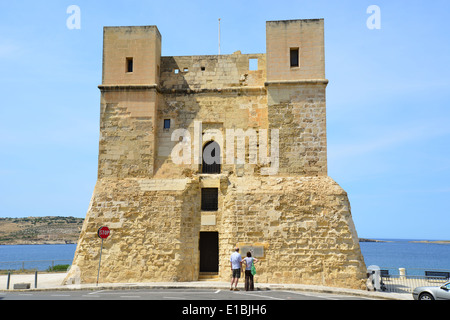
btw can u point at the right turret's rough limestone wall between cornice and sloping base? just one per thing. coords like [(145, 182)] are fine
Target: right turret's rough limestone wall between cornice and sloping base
[(299, 112)]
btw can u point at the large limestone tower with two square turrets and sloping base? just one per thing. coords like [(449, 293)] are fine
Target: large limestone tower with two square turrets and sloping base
[(174, 214)]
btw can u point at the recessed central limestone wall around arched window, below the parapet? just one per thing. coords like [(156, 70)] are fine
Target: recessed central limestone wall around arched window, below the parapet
[(216, 111)]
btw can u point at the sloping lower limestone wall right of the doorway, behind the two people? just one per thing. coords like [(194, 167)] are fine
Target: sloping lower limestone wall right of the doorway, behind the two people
[(304, 224)]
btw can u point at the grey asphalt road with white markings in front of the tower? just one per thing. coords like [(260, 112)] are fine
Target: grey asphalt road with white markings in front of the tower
[(173, 294)]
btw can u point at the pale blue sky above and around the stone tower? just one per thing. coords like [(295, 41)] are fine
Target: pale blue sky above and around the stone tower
[(388, 101)]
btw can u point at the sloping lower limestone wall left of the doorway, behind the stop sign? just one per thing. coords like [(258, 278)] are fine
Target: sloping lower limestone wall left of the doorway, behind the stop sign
[(149, 222)]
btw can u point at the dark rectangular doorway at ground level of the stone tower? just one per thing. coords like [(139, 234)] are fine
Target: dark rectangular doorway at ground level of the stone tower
[(209, 251)]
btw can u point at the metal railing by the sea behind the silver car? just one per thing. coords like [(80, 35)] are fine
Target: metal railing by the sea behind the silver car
[(405, 280)]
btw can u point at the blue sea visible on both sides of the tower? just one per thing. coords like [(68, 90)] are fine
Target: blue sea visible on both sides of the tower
[(391, 254)]
